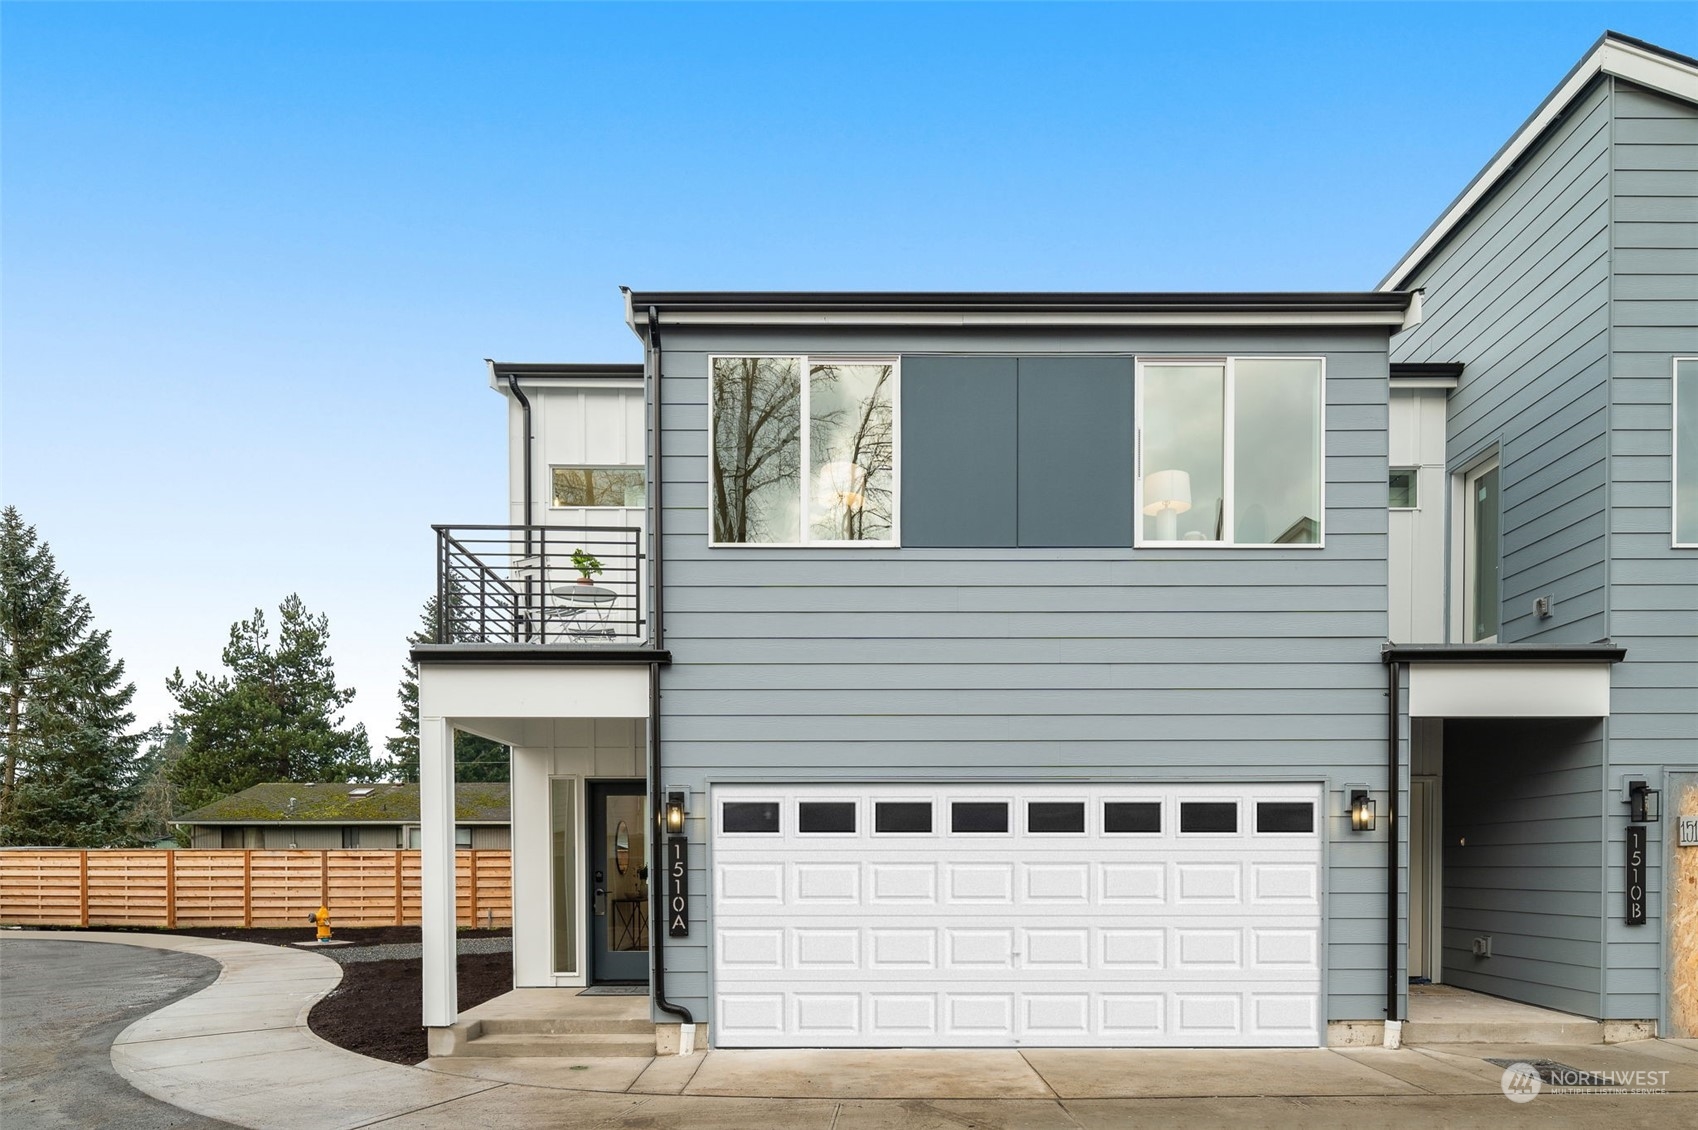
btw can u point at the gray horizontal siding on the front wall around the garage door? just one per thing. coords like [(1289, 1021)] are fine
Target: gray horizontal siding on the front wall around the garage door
[(1028, 665)]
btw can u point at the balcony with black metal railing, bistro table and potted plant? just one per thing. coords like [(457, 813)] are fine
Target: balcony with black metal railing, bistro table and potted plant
[(526, 585)]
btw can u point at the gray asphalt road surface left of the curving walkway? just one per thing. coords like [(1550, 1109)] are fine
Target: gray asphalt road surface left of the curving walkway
[(62, 1005)]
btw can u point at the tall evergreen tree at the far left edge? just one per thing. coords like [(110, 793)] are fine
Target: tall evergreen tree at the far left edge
[(69, 772)]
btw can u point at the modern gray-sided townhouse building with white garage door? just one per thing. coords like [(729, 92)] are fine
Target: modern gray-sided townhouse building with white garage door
[(1050, 669)]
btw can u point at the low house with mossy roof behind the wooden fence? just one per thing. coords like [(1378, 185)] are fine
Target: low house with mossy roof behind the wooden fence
[(306, 815)]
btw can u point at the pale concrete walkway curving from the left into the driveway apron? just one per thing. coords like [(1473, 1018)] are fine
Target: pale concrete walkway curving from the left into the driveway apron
[(240, 1051)]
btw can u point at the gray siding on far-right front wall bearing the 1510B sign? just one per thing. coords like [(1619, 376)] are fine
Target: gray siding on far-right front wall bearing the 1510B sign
[(1655, 587)]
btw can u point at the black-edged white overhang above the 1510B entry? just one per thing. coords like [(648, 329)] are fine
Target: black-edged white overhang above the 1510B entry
[(1507, 681)]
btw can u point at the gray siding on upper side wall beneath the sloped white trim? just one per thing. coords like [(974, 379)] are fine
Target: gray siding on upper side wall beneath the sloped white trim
[(1522, 297)]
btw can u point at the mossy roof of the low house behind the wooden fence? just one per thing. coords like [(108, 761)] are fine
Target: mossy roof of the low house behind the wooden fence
[(334, 803)]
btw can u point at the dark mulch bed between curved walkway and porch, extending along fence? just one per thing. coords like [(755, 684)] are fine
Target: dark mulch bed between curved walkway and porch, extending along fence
[(380, 1007)]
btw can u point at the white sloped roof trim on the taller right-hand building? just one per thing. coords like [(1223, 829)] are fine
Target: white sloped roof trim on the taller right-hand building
[(1611, 57)]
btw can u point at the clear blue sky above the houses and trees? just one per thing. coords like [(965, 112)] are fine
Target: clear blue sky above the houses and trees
[(252, 256)]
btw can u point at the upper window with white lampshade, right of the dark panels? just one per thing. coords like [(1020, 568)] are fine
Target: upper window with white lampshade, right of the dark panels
[(1230, 451)]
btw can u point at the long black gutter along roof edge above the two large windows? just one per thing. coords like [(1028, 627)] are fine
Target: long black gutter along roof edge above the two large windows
[(1021, 302)]
